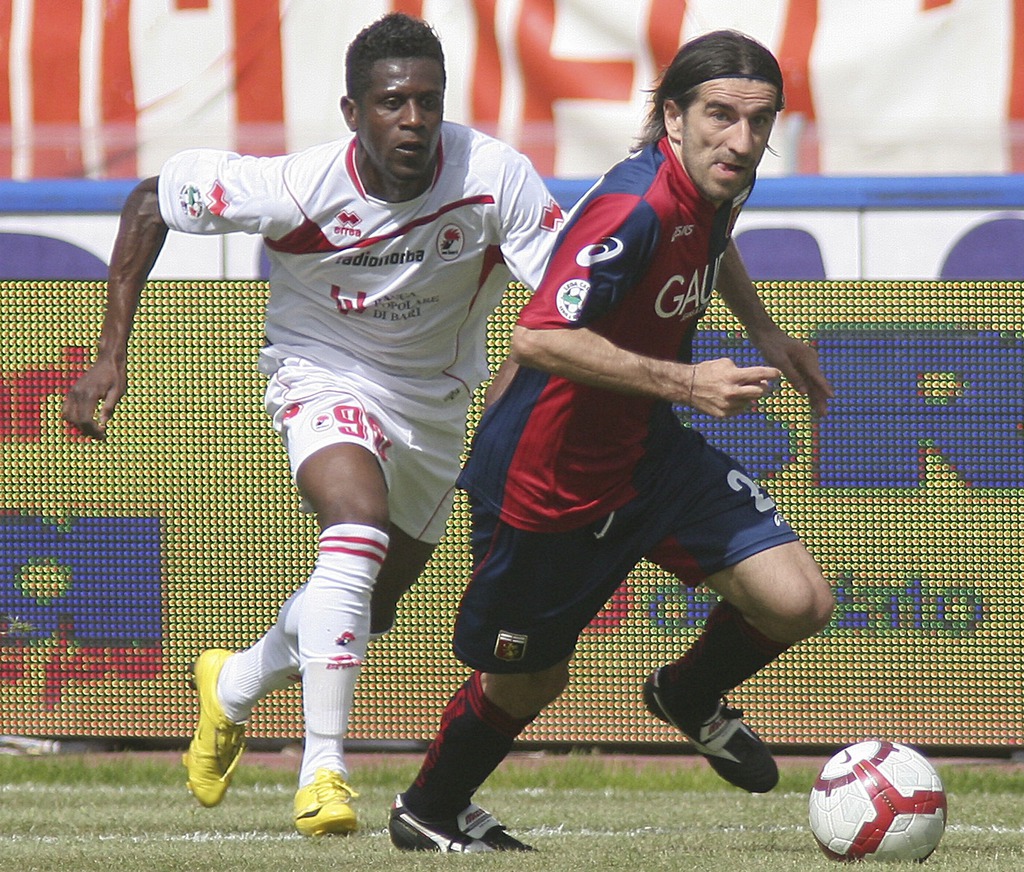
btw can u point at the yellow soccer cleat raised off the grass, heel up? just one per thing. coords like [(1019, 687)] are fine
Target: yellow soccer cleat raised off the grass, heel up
[(218, 744)]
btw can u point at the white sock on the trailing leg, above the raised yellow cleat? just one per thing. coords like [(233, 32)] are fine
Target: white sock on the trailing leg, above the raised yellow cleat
[(270, 665)]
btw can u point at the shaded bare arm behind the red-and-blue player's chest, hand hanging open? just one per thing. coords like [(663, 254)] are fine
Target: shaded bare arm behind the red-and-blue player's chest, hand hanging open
[(797, 360)]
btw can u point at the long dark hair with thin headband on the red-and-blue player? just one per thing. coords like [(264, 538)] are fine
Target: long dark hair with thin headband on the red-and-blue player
[(719, 55)]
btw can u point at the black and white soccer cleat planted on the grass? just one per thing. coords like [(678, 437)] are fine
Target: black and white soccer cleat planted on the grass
[(473, 832)]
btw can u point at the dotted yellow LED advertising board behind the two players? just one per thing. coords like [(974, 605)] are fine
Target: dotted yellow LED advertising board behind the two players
[(119, 561)]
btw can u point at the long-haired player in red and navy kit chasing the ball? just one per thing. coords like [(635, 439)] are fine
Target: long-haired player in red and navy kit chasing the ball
[(581, 468)]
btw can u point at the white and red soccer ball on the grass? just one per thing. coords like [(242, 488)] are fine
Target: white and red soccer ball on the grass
[(878, 800)]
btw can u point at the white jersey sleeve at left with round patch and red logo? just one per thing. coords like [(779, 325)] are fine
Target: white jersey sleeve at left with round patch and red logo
[(205, 191)]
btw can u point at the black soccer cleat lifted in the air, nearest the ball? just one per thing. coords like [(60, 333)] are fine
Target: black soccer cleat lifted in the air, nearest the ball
[(732, 748)]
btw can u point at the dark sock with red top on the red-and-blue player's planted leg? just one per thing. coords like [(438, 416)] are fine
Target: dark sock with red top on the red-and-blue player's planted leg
[(475, 737)]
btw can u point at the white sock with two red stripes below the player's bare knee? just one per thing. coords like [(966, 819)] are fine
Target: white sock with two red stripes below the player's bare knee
[(333, 632)]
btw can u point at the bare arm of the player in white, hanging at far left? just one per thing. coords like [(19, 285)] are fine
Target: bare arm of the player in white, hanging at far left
[(92, 401)]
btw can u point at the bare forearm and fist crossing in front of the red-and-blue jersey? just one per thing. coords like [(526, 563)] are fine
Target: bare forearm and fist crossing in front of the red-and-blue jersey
[(716, 387)]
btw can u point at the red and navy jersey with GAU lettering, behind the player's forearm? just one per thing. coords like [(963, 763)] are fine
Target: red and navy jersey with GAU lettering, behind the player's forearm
[(636, 264)]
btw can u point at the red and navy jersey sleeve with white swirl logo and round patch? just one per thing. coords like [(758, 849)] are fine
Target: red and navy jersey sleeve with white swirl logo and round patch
[(603, 254)]
